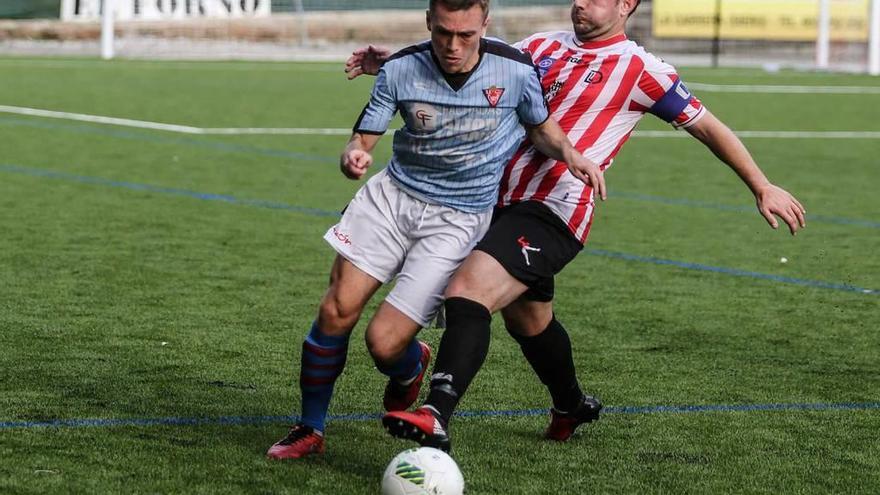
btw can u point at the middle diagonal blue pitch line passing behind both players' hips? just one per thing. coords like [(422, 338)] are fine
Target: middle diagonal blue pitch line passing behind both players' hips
[(326, 213)]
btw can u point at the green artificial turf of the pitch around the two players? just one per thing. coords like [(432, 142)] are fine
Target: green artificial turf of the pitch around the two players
[(151, 275)]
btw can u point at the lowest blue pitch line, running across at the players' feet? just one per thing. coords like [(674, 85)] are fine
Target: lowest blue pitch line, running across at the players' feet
[(251, 420)]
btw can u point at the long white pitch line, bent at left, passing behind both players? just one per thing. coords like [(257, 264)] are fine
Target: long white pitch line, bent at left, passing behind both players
[(241, 131)]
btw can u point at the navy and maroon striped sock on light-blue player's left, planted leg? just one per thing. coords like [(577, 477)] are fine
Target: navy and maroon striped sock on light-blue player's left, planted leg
[(323, 359)]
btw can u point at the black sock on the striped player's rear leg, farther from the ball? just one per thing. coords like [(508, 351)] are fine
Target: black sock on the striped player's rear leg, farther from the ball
[(550, 355)]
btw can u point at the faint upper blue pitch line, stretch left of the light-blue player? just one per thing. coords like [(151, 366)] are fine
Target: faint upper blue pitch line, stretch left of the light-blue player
[(154, 138)]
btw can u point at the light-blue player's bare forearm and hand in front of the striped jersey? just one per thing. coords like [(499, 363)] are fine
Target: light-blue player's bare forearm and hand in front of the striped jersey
[(551, 140)]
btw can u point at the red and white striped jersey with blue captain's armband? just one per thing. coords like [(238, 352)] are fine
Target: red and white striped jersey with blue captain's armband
[(598, 92)]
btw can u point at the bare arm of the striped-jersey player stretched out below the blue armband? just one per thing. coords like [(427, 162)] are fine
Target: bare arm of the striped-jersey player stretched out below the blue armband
[(772, 200)]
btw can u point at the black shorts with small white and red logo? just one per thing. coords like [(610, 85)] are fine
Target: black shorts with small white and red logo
[(533, 244)]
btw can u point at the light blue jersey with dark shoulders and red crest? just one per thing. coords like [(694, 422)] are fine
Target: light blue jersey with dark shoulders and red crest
[(459, 132)]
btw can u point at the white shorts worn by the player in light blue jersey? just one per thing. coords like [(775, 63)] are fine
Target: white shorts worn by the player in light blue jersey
[(388, 233)]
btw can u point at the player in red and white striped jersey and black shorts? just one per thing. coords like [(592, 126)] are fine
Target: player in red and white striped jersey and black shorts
[(598, 85)]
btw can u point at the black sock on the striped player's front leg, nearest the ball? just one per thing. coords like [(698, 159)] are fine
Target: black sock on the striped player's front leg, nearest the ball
[(462, 351)]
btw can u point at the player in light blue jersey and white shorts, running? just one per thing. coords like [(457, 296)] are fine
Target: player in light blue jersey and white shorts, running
[(467, 102)]
